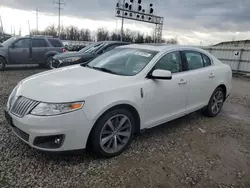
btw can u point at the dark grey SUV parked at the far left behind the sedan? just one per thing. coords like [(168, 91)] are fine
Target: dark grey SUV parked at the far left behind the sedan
[(29, 50)]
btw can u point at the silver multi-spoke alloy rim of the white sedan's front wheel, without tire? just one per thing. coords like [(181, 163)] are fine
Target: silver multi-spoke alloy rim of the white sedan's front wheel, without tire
[(115, 133)]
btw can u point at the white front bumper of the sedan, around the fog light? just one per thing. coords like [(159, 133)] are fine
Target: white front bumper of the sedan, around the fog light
[(74, 127)]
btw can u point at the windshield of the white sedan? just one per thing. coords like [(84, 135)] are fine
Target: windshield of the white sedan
[(123, 61)]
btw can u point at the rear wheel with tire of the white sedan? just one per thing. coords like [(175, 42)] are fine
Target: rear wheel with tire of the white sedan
[(215, 103)]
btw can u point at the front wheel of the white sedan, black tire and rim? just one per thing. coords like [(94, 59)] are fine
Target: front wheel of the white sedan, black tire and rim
[(112, 133)]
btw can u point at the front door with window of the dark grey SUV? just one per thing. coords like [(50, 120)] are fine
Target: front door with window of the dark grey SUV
[(19, 51)]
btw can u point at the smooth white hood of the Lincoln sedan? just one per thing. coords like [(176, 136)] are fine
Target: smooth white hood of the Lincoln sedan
[(69, 84)]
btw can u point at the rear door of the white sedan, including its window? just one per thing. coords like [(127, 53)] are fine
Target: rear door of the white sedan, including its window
[(202, 78)]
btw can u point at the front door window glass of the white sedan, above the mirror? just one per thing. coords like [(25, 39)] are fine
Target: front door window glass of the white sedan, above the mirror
[(170, 62)]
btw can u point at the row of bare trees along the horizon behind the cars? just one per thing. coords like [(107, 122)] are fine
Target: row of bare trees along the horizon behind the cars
[(76, 34)]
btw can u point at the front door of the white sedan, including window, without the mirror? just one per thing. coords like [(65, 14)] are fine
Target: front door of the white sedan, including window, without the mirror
[(166, 99)]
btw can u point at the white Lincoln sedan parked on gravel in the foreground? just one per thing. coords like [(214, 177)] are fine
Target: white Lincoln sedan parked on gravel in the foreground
[(102, 104)]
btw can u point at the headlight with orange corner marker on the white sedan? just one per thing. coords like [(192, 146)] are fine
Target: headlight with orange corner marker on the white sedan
[(50, 109)]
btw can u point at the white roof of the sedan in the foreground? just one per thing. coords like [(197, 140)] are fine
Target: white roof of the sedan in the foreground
[(160, 47)]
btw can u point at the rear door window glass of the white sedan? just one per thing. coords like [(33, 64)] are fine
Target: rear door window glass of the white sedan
[(194, 60)]
